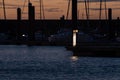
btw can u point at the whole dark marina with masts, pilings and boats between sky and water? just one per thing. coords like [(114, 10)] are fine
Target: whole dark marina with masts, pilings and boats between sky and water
[(77, 35)]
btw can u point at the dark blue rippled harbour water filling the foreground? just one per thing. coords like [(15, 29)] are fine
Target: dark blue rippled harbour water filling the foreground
[(53, 63)]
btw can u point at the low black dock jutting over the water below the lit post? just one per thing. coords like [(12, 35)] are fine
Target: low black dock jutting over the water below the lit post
[(110, 49)]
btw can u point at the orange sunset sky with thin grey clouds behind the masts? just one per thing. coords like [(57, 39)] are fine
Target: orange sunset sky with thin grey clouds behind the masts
[(54, 9)]
